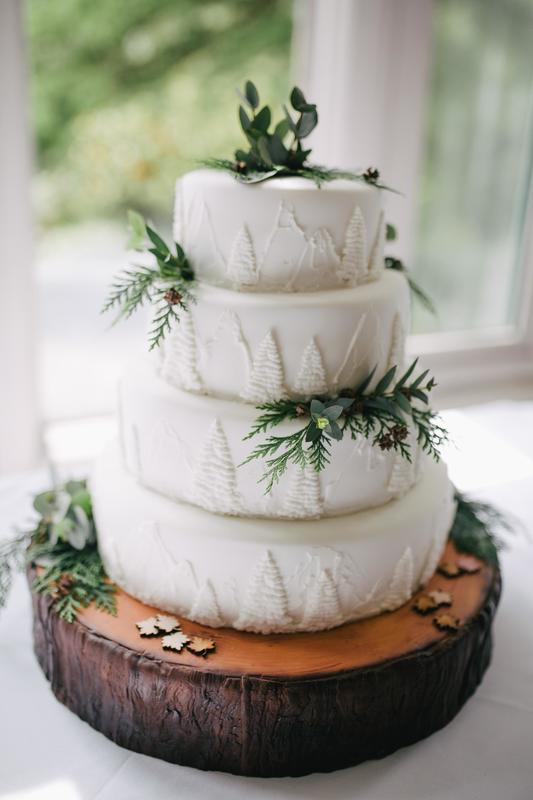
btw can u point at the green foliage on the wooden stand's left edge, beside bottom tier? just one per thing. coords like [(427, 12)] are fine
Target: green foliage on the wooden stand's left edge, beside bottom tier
[(62, 546)]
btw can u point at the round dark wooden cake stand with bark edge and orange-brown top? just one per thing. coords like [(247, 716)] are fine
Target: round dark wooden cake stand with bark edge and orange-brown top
[(286, 704)]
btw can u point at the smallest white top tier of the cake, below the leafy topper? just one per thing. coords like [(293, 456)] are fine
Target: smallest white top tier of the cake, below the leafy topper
[(283, 235)]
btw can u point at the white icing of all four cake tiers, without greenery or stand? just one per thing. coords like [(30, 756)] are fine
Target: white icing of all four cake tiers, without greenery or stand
[(292, 301)]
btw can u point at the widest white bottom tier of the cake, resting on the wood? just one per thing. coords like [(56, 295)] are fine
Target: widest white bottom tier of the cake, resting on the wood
[(268, 576)]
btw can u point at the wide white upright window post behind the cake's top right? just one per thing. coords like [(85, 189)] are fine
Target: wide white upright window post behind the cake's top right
[(366, 65)]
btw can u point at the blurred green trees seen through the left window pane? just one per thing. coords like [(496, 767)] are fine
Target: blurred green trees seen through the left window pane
[(129, 94)]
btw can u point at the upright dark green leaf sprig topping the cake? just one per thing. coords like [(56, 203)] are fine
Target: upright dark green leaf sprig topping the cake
[(276, 150)]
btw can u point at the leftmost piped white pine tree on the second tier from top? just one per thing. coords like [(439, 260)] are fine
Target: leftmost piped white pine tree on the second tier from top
[(180, 366)]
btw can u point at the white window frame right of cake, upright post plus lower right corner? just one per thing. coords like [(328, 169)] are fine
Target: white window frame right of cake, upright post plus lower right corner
[(339, 44)]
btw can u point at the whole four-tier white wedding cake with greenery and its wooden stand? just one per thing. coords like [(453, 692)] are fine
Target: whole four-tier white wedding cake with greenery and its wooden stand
[(270, 572)]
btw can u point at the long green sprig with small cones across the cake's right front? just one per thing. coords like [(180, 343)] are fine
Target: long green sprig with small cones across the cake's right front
[(382, 415)]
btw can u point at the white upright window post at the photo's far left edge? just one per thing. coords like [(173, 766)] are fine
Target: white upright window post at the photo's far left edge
[(19, 429)]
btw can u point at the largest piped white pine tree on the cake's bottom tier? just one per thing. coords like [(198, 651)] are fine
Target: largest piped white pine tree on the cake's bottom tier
[(265, 607)]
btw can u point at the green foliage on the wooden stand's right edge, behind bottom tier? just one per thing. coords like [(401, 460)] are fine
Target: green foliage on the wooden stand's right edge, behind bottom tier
[(476, 529)]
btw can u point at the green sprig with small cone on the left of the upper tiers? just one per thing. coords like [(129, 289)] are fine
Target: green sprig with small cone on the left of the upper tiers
[(167, 284)]
